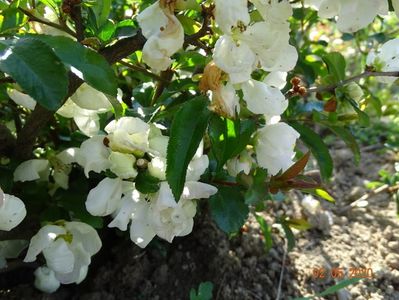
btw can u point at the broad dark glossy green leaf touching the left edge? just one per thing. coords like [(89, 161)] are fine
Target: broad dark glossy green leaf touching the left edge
[(36, 68)]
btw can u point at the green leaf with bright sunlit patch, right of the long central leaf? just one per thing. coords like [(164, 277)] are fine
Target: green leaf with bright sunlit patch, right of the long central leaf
[(229, 137)]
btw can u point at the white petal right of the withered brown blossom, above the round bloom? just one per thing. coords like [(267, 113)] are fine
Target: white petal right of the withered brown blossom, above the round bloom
[(263, 99)]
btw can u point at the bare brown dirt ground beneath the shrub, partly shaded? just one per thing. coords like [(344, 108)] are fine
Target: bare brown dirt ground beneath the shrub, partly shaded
[(239, 268)]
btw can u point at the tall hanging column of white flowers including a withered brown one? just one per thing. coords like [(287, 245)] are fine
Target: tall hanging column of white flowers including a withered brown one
[(243, 48)]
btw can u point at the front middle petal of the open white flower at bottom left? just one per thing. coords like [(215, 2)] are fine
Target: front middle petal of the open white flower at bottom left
[(59, 257)]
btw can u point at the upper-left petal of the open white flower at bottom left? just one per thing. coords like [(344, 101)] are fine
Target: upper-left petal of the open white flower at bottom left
[(46, 235)]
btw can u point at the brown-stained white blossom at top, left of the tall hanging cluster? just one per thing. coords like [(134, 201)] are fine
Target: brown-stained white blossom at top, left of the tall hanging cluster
[(164, 33)]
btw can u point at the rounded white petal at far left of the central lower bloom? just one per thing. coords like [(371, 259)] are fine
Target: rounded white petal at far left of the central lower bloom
[(104, 199)]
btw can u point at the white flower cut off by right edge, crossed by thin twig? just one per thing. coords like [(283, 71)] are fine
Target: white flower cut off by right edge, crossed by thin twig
[(386, 60)]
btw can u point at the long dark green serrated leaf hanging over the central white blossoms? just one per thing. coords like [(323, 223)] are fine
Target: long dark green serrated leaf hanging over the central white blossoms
[(187, 130)]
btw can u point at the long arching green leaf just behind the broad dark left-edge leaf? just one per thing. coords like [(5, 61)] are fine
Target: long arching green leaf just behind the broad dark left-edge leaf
[(95, 69)]
